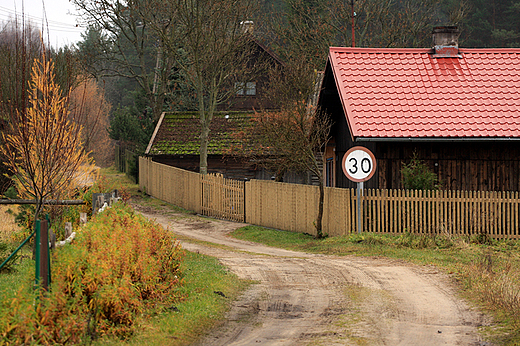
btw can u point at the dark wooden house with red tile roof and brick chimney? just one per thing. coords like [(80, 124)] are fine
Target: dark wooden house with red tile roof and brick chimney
[(457, 109)]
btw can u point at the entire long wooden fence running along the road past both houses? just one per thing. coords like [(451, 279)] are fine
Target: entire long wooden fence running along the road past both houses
[(294, 207)]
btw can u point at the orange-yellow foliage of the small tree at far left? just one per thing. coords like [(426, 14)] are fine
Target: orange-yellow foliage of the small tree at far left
[(43, 146)]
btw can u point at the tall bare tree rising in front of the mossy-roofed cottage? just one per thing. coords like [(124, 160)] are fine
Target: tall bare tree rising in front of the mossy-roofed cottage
[(206, 41)]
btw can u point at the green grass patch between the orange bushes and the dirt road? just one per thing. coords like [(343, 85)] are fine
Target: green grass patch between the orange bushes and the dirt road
[(210, 289)]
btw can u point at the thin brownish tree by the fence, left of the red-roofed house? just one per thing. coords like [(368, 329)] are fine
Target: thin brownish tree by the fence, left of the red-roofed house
[(293, 138)]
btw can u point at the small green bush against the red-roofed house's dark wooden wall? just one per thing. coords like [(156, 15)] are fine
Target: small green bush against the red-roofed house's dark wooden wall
[(418, 176)]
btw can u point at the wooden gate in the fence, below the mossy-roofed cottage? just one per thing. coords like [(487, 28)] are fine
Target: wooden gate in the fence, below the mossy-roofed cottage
[(223, 198)]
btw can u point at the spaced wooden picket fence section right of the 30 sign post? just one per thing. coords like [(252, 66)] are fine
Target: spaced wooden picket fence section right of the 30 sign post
[(495, 214)]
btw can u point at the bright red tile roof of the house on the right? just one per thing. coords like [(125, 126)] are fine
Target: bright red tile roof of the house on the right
[(407, 93)]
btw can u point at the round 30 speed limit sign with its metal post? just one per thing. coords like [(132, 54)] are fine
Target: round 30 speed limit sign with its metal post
[(359, 165)]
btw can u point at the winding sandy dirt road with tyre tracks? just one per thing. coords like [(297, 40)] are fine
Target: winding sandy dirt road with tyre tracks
[(308, 299)]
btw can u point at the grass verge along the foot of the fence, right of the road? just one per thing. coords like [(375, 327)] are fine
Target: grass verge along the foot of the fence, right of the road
[(488, 274)]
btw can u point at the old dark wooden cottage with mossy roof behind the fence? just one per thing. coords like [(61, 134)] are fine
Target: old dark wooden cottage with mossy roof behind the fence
[(176, 140)]
